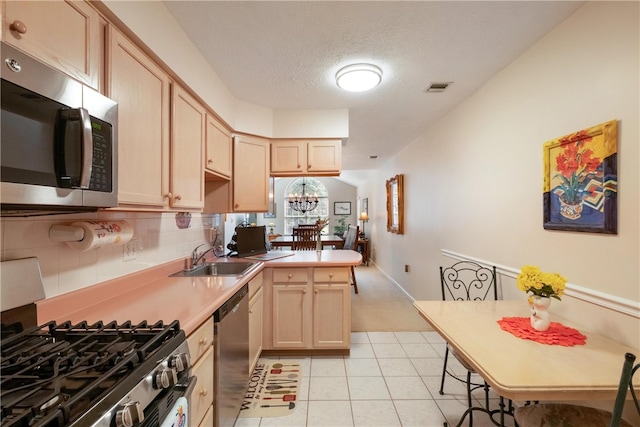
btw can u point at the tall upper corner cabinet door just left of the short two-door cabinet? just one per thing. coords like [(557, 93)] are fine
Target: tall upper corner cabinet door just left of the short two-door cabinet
[(250, 174)]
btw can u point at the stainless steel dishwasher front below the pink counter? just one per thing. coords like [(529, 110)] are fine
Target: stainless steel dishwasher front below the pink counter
[(231, 362)]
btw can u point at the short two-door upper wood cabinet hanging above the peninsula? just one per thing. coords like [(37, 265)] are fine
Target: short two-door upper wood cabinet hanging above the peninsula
[(295, 157)]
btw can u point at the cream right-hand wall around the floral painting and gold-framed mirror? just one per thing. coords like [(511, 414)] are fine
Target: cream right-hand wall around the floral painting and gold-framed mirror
[(474, 181)]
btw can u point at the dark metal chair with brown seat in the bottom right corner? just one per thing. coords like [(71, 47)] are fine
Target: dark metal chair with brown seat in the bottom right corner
[(564, 414)]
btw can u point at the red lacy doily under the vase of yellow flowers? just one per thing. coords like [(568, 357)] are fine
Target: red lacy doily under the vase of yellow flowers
[(557, 334)]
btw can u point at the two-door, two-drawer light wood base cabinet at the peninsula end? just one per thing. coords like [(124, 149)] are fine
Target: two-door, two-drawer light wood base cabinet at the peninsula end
[(307, 309)]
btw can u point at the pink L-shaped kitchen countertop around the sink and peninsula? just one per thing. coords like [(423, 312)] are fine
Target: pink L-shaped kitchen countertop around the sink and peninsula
[(153, 295)]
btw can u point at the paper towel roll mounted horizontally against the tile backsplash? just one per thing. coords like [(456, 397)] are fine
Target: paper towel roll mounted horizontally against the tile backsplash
[(102, 233)]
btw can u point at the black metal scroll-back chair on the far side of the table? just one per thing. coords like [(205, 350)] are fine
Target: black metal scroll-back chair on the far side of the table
[(467, 281)]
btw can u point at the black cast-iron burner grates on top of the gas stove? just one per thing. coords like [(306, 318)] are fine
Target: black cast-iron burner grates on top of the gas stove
[(55, 373)]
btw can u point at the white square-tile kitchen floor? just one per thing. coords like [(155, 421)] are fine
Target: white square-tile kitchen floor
[(389, 379)]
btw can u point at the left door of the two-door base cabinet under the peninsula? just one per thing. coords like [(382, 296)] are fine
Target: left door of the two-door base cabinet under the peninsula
[(291, 321)]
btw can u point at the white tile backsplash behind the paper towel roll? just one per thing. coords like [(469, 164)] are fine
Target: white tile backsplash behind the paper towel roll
[(158, 237)]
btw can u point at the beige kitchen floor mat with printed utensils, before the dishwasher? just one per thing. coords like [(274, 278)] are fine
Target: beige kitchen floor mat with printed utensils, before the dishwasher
[(273, 390)]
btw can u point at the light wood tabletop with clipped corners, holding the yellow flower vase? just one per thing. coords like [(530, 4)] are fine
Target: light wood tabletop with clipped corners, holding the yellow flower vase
[(521, 369)]
